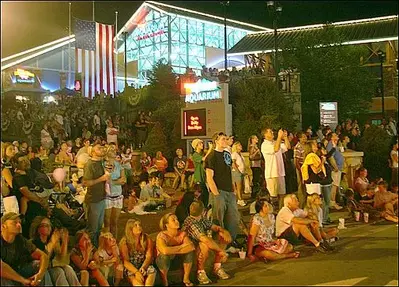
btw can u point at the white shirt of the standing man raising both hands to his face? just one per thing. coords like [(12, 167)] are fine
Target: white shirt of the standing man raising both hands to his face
[(274, 164)]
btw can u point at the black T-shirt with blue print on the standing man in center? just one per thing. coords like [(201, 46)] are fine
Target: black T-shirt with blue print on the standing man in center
[(220, 163)]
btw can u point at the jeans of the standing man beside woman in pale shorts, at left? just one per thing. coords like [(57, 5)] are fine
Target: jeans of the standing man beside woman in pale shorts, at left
[(95, 219)]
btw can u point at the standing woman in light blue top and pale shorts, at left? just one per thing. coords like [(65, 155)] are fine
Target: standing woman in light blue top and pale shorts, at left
[(113, 199)]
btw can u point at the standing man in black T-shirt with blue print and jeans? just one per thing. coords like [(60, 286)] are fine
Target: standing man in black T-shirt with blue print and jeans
[(218, 175)]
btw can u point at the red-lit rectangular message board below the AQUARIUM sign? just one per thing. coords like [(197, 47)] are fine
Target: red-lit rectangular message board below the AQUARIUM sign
[(194, 123)]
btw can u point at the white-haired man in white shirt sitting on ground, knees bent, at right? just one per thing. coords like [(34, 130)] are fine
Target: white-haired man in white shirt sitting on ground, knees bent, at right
[(292, 224)]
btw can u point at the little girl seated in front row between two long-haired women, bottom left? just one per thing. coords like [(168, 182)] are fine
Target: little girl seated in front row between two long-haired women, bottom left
[(110, 263)]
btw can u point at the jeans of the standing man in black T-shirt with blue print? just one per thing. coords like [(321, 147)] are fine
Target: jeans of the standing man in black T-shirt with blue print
[(225, 211)]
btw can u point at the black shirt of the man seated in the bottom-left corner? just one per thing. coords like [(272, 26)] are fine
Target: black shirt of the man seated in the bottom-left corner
[(17, 253)]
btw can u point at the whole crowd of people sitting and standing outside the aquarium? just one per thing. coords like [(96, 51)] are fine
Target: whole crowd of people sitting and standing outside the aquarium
[(295, 181)]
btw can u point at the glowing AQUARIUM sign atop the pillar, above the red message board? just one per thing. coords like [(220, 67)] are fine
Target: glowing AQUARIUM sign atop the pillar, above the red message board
[(202, 90)]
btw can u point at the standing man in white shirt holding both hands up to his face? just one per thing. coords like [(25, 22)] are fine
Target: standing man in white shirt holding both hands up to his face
[(272, 151)]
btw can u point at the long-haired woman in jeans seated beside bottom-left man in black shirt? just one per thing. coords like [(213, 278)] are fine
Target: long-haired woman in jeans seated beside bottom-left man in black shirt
[(55, 244)]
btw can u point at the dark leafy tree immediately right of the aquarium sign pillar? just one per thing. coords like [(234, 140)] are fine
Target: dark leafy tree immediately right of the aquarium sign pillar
[(257, 104)]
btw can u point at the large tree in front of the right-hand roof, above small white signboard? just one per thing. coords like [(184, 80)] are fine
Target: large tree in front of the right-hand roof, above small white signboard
[(330, 73)]
